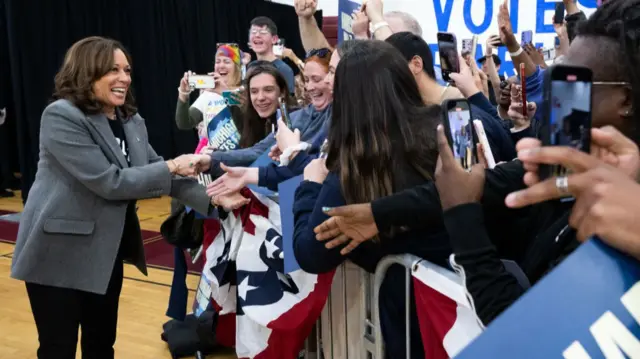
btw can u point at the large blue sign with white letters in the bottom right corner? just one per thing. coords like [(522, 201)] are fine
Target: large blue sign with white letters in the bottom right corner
[(588, 307)]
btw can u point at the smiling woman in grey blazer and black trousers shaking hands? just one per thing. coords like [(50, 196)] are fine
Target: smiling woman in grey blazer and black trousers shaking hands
[(80, 222)]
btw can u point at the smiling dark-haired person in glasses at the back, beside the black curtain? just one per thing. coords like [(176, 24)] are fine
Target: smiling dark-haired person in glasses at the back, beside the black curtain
[(263, 35)]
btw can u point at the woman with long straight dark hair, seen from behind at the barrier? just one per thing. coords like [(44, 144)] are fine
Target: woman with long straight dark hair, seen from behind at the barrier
[(381, 140)]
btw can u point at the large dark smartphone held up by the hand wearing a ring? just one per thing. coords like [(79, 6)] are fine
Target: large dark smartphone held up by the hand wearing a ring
[(567, 112)]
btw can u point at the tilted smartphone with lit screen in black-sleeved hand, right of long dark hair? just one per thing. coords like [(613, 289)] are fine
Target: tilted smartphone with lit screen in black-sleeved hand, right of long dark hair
[(460, 131)]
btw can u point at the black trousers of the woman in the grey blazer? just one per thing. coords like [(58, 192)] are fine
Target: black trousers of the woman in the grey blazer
[(59, 312)]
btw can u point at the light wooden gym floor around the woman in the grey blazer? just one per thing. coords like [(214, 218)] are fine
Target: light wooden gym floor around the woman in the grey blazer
[(143, 302)]
